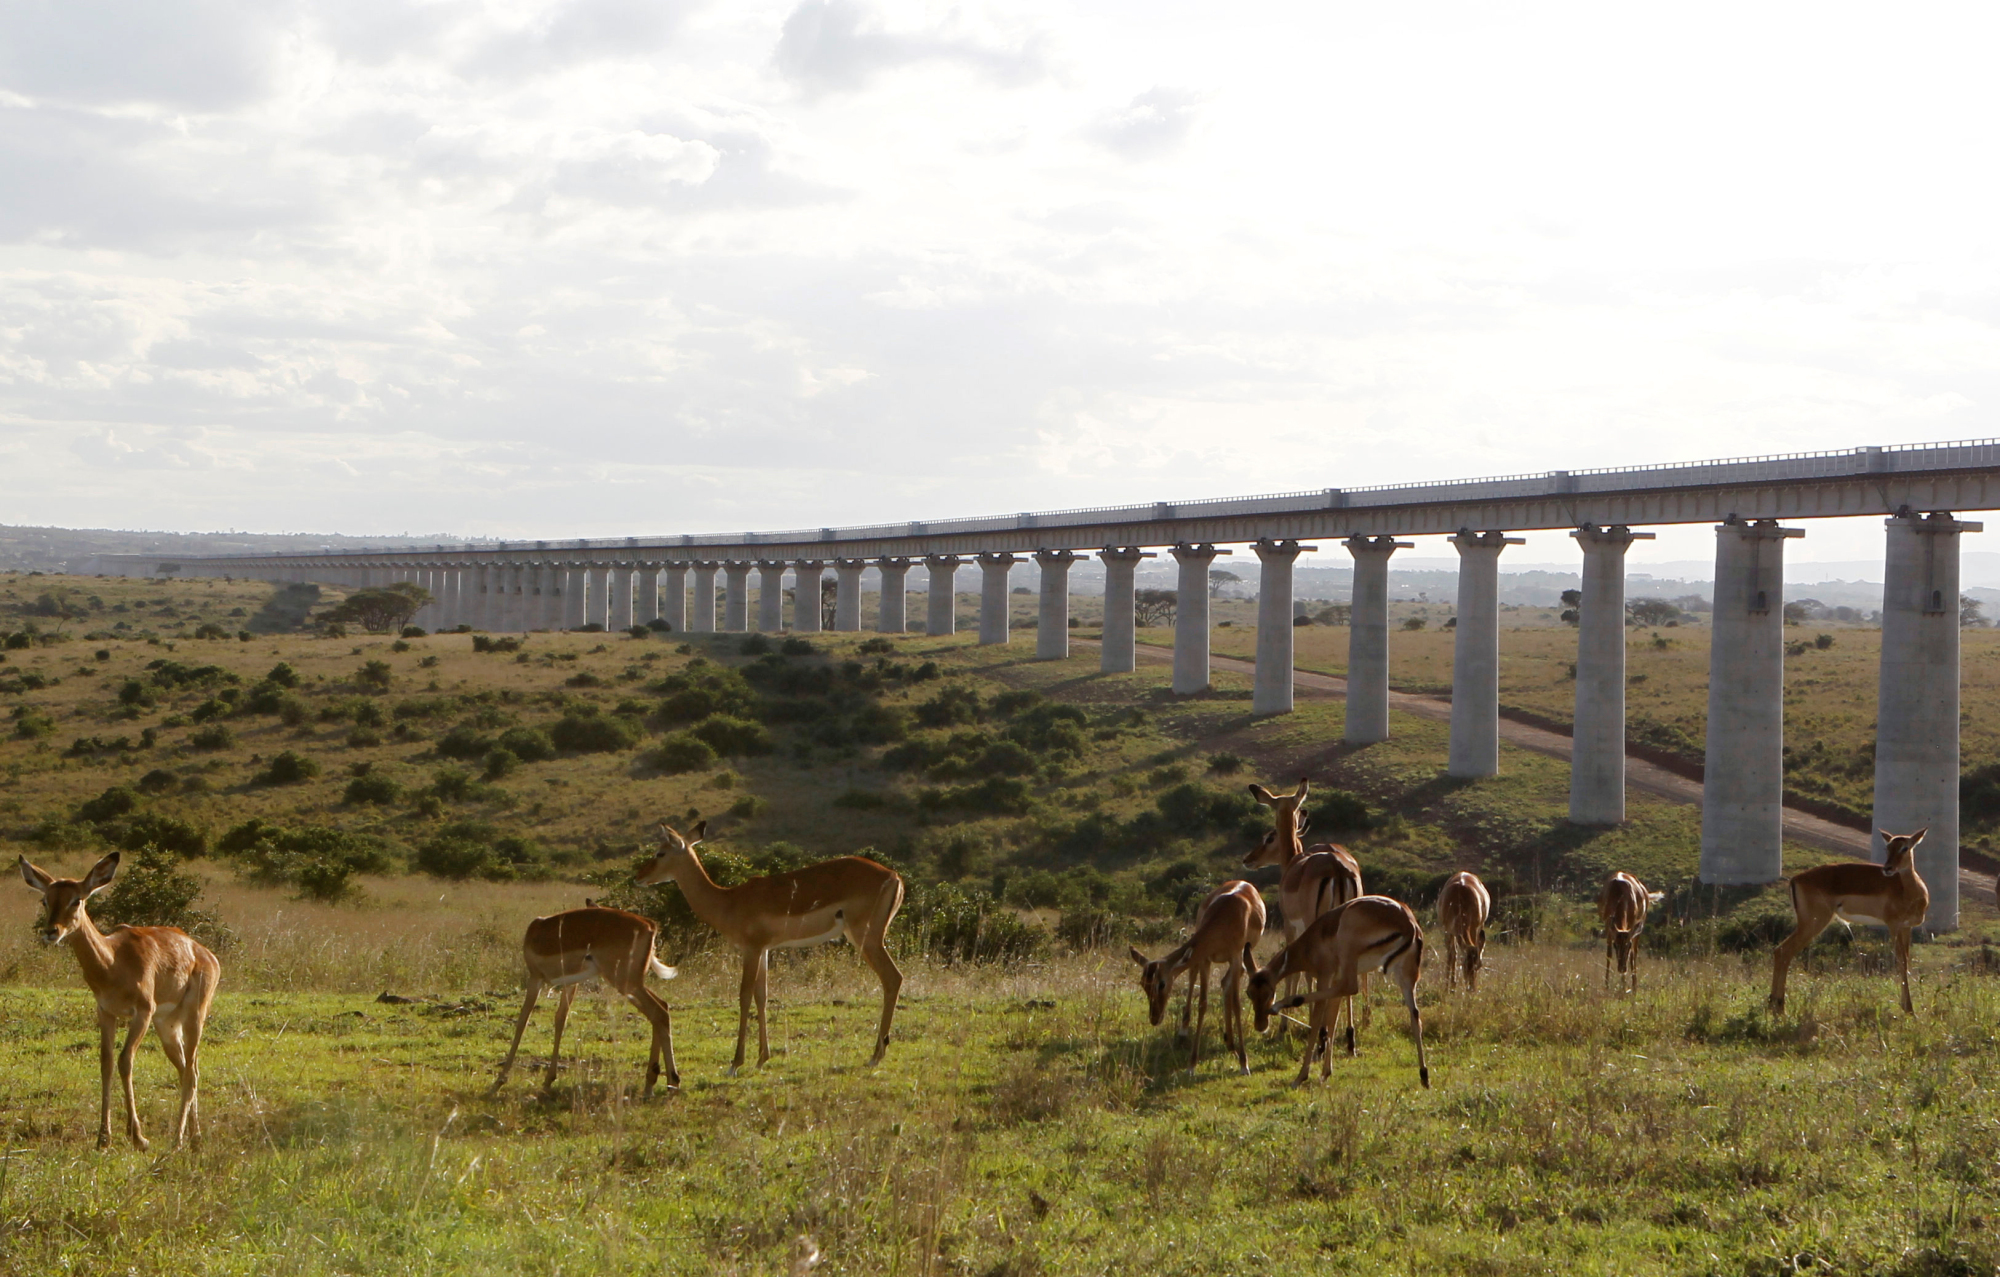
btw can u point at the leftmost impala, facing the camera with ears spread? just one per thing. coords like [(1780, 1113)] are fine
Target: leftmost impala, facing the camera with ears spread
[(141, 976)]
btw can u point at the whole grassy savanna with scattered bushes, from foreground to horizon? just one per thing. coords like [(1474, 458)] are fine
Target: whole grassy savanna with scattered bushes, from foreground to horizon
[(1027, 1118)]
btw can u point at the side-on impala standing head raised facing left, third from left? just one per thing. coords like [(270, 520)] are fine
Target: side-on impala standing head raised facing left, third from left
[(795, 910)]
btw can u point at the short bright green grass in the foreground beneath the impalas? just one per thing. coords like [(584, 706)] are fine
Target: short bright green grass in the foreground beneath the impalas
[(1033, 1124)]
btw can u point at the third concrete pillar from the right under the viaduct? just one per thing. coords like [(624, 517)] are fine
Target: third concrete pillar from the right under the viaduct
[(1597, 762)]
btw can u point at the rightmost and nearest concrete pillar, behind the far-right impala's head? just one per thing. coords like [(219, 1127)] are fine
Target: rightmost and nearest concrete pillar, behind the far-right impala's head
[(1917, 704)]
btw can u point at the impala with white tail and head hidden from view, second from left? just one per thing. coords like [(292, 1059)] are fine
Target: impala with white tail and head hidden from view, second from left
[(565, 950)]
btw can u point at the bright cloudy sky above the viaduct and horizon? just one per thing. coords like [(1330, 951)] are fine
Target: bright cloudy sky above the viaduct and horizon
[(617, 267)]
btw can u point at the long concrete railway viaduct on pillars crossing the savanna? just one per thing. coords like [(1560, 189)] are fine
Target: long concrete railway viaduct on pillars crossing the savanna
[(1917, 489)]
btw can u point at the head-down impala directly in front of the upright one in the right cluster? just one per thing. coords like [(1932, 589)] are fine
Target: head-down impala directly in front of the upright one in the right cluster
[(1333, 954)]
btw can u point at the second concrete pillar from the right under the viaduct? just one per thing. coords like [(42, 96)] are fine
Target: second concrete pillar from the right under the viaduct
[(1743, 788)]
